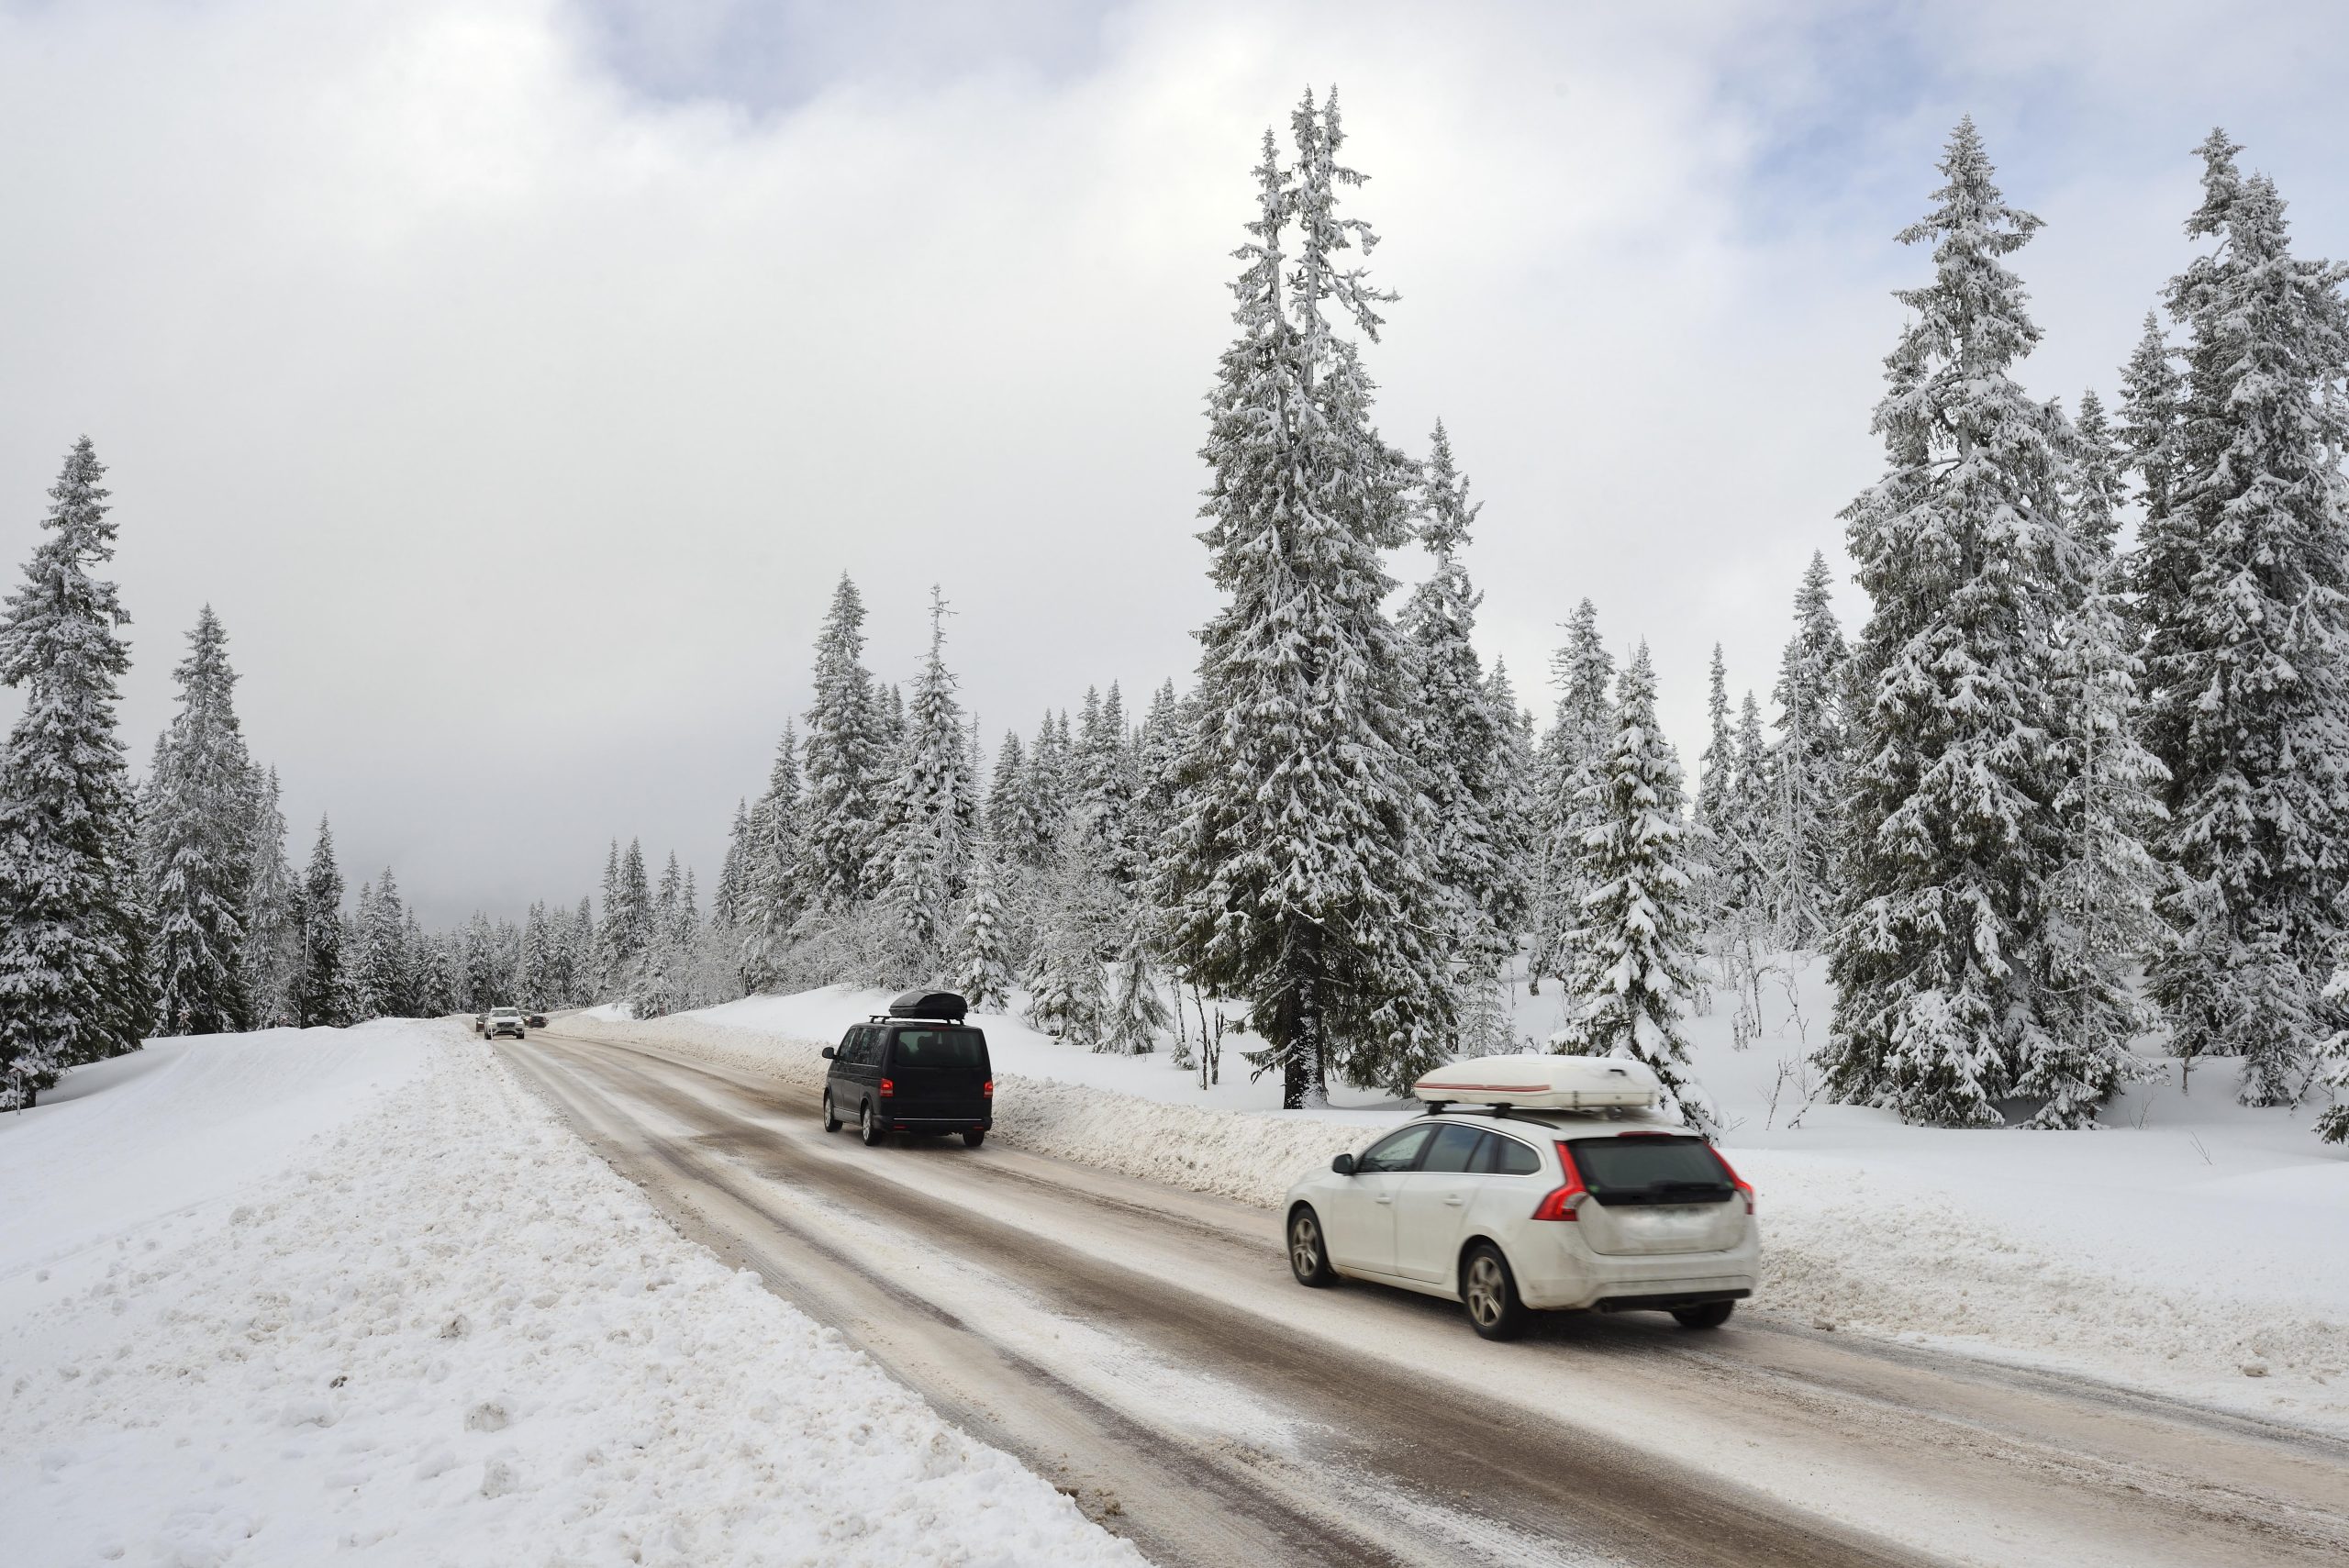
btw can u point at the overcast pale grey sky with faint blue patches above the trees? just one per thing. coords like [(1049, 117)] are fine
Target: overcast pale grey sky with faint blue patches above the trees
[(518, 377)]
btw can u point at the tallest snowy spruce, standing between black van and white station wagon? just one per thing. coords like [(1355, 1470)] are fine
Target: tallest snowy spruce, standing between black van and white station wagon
[(1305, 867)]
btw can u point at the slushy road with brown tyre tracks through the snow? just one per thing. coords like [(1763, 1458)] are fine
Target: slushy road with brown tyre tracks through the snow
[(1150, 1356)]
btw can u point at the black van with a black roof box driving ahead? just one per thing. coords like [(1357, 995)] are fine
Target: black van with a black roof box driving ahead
[(915, 1069)]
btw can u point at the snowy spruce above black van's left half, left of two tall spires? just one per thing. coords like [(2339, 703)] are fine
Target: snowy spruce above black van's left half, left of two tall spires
[(844, 759)]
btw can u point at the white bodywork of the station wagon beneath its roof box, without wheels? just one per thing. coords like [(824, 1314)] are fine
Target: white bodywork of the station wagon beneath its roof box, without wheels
[(1418, 1229)]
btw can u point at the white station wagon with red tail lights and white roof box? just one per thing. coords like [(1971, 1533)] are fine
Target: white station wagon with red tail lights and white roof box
[(1535, 1184)]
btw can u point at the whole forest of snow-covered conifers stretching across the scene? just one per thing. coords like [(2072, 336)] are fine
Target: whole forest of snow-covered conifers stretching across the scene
[(2073, 797)]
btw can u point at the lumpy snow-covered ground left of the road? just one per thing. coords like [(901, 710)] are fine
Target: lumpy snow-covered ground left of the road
[(295, 1297)]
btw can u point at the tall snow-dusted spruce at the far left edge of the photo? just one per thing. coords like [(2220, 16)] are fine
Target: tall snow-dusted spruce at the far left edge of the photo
[(74, 964)]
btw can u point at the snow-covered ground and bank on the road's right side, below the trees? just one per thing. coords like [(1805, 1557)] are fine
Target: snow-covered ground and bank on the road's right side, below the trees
[(2190, 1248)]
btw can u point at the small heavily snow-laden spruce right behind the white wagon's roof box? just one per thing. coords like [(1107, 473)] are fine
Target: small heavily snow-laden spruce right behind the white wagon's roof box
[(1634, 968)]
